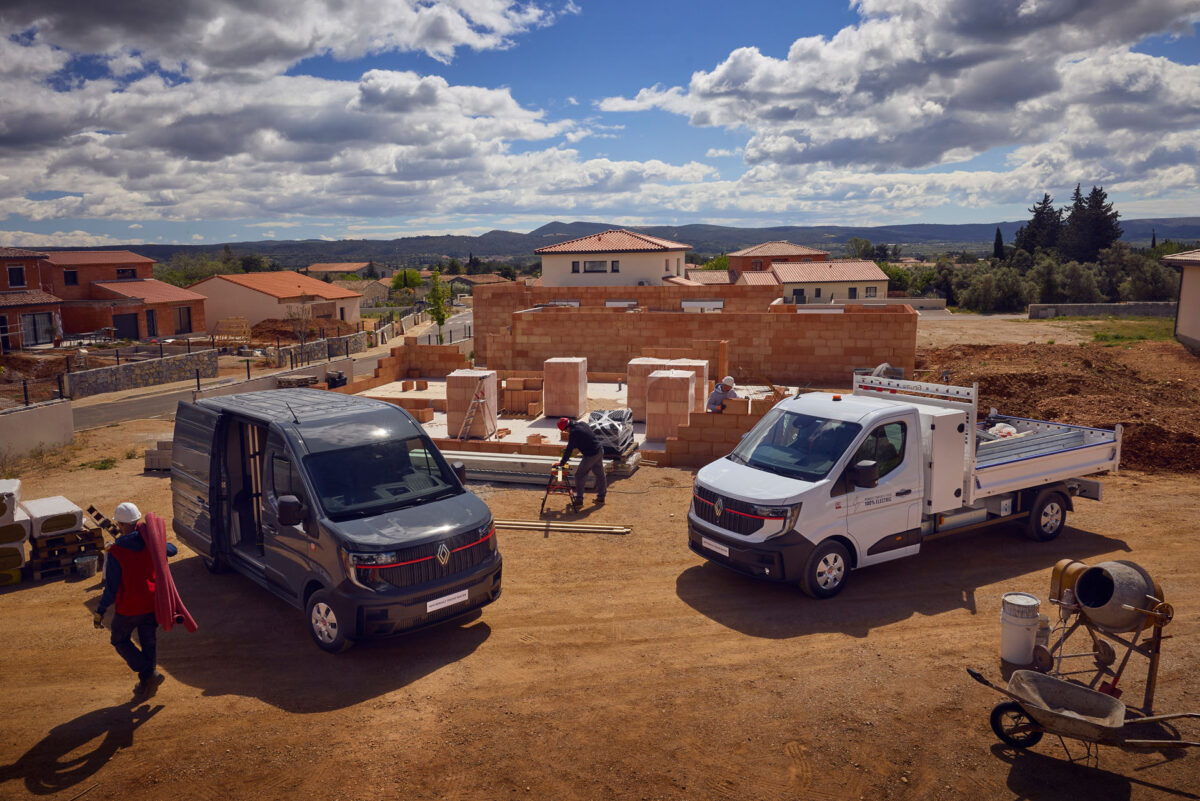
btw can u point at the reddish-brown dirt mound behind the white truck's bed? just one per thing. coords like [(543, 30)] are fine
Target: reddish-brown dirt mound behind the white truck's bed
[(1150, 388)]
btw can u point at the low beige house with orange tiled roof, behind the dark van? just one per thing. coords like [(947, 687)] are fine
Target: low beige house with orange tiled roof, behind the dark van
[(260, 297)]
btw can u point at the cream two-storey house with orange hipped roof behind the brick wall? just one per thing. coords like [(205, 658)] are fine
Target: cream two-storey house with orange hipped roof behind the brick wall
[(613, 258)]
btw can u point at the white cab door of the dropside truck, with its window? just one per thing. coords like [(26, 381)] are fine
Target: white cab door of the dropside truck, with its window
[(885, 521)]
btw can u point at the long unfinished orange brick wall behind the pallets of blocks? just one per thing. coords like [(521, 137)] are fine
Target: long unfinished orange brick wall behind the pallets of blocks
[(791, 350)]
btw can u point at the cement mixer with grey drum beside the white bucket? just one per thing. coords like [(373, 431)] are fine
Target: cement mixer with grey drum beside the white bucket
[(1117, 604)]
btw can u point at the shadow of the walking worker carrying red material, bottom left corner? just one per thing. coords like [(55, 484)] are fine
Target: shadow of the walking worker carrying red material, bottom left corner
[(79, 749)]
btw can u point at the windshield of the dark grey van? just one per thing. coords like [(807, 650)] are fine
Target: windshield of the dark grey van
[(380, 477)]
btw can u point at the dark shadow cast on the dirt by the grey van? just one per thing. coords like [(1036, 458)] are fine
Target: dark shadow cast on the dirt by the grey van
[(253, 645)]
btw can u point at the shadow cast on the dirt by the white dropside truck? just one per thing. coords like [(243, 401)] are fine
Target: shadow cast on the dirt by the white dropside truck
[(941, 579)]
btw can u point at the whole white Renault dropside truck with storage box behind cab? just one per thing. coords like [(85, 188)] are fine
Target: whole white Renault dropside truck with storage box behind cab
[(826, 484)]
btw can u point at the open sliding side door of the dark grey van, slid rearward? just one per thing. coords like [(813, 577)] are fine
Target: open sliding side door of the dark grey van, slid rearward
[(196, 489)]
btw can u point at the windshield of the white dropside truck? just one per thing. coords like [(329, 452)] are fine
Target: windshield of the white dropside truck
[(796, 445)]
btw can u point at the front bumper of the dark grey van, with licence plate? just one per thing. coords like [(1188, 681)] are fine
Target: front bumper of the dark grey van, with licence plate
[(385, 616)]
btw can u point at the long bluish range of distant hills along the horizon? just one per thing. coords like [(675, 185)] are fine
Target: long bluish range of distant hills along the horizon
[(923, 239)]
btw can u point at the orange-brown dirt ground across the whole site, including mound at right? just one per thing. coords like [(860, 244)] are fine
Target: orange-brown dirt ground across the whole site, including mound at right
[(623, 667)]
